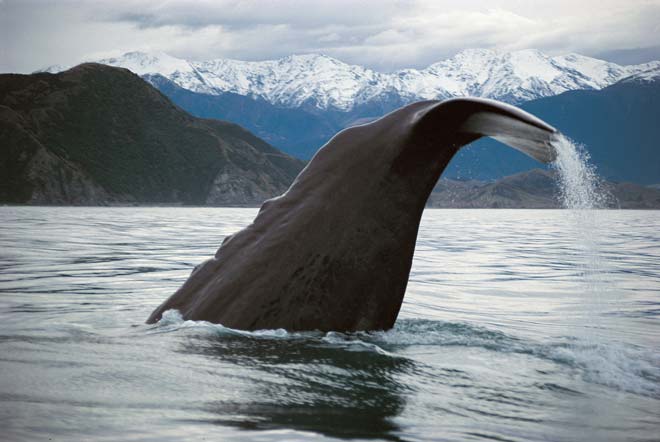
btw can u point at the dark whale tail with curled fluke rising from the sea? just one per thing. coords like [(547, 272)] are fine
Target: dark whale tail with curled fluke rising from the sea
[(334, 252)]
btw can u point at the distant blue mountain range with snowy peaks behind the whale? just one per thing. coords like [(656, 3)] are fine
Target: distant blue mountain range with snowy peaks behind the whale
[(299, 102)]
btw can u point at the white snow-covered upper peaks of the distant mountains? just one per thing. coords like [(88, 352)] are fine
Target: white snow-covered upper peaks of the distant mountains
[(322, 82)]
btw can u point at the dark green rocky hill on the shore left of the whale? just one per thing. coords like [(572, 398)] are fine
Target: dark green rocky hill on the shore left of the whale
[(101, 135)]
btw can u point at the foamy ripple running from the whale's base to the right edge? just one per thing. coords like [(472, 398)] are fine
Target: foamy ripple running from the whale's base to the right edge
[(625, 368)]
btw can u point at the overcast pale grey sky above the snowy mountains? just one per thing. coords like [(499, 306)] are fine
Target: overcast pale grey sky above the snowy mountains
[(379, 34)]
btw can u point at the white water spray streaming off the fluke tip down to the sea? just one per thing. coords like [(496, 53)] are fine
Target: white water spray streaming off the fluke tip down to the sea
[(583, 194)]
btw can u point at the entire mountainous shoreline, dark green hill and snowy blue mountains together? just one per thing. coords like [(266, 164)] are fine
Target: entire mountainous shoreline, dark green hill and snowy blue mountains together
[(97, 134)]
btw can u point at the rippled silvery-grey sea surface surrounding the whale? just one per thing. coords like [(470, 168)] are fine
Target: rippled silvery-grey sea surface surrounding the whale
[(517, 325)]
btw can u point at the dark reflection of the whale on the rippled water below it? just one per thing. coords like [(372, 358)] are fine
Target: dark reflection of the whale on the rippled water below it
[(309, 387)]
